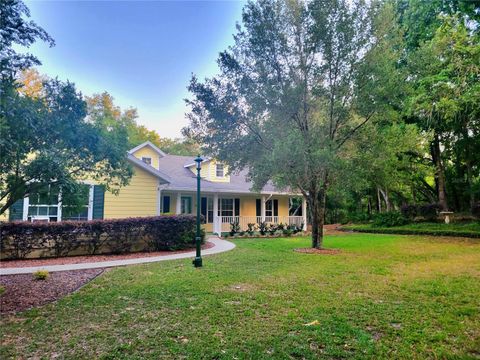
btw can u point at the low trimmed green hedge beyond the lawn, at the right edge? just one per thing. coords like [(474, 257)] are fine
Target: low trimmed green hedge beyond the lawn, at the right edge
[(406, 231)]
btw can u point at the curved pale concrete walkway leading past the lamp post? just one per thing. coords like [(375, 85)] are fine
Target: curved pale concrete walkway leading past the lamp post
[(220, 246)]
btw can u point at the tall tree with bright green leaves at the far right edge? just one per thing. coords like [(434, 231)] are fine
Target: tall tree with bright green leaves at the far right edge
[(445, 73)]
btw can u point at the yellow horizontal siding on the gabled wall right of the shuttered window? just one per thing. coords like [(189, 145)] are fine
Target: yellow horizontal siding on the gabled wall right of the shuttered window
[(139, 198)]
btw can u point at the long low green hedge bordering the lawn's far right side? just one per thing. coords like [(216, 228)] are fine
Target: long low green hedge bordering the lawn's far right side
[(470, 229)]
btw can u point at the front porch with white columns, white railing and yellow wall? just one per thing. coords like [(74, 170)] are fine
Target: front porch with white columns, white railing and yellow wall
[(221, 210)]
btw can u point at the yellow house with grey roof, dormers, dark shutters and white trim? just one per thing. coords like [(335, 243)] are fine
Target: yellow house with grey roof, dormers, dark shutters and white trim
[(164, 183)]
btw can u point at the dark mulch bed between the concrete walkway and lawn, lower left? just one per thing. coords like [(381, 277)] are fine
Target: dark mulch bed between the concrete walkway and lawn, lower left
[(23, 291)]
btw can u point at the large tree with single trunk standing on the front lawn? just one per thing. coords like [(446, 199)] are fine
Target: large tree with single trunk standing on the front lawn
[(292, 93)]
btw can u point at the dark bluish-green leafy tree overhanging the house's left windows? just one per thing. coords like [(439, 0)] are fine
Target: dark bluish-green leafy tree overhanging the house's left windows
[(49, 142)]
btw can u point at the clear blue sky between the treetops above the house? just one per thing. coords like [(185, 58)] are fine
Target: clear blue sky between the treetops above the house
[(141, 52)]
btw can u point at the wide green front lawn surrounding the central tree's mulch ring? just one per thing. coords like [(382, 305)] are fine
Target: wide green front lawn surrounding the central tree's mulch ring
[(383, 296)]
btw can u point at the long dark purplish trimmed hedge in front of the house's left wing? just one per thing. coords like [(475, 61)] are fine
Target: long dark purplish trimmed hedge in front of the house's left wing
[(18, 240)]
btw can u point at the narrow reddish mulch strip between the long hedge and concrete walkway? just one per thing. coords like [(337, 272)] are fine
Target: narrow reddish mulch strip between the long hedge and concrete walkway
[(90, 258)]
